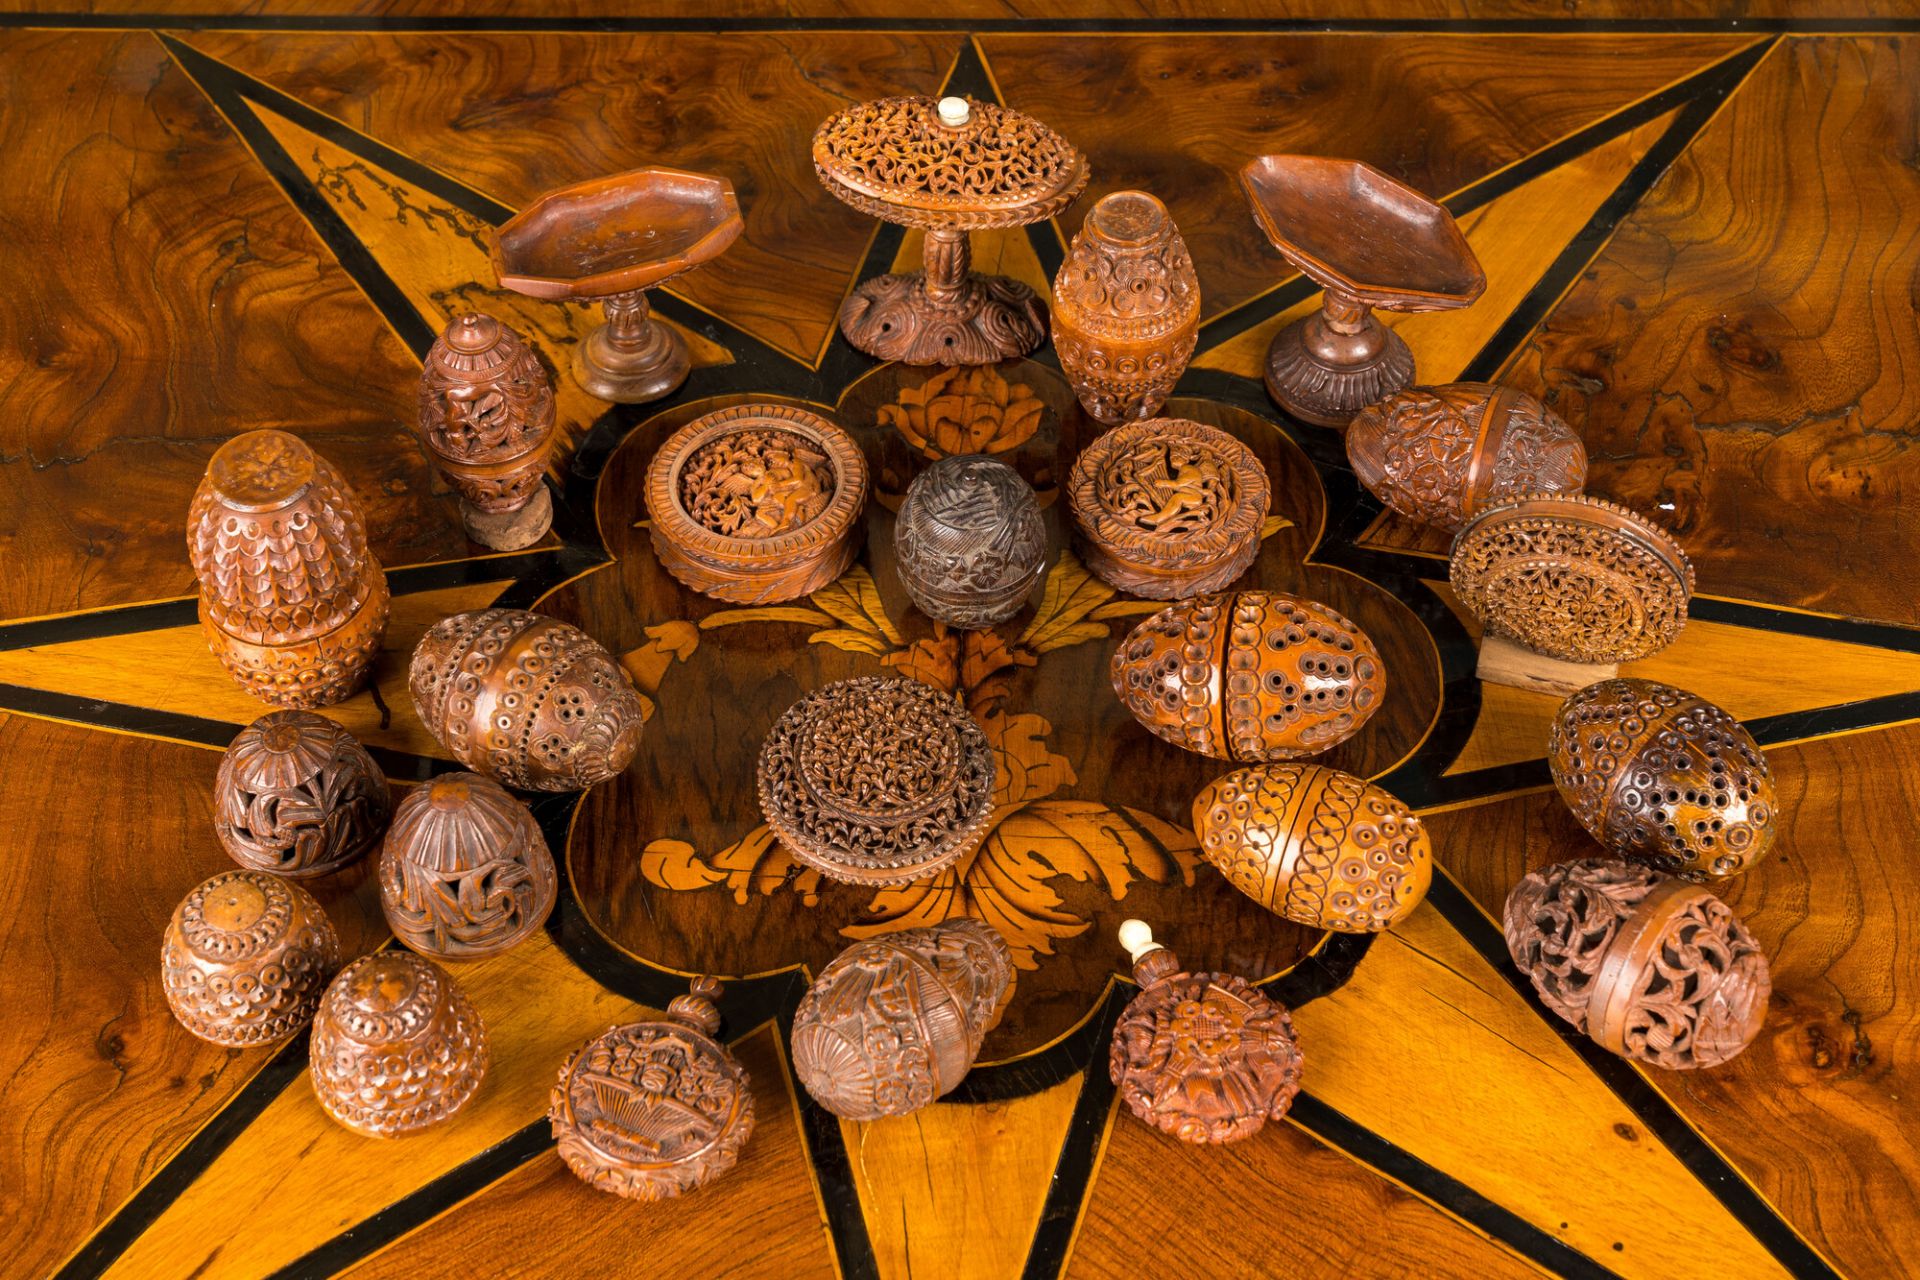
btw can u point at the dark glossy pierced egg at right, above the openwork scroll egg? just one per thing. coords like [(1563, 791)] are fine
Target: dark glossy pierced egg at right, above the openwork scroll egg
[(1666, 778)]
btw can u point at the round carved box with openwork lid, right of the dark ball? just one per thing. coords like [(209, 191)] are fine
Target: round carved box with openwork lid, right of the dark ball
[(1168, 508)]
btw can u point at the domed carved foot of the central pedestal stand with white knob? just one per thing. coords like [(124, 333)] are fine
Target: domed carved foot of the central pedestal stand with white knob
[(992, 320)]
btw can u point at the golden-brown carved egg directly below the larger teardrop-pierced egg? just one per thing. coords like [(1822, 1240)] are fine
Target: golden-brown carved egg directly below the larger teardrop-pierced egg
[(1320, 847)]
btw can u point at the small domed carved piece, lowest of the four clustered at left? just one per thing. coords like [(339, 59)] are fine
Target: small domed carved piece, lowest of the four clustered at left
[(396, 1047)]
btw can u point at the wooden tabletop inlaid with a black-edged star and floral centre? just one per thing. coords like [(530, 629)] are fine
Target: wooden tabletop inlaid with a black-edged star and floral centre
[(1702, 241)]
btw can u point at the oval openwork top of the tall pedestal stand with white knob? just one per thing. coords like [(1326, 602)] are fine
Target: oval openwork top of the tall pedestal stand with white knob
[(896, 160)]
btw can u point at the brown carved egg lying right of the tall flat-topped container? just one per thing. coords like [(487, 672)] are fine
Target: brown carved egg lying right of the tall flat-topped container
[(525, 699)]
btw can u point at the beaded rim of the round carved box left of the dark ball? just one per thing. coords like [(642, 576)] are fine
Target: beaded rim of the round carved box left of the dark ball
[(757, 556)]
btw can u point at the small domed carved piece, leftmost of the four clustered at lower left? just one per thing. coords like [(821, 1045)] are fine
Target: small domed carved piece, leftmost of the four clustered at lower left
[(247, 959)]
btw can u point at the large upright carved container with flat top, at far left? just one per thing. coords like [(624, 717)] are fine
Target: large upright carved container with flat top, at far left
[(291, 600)]
